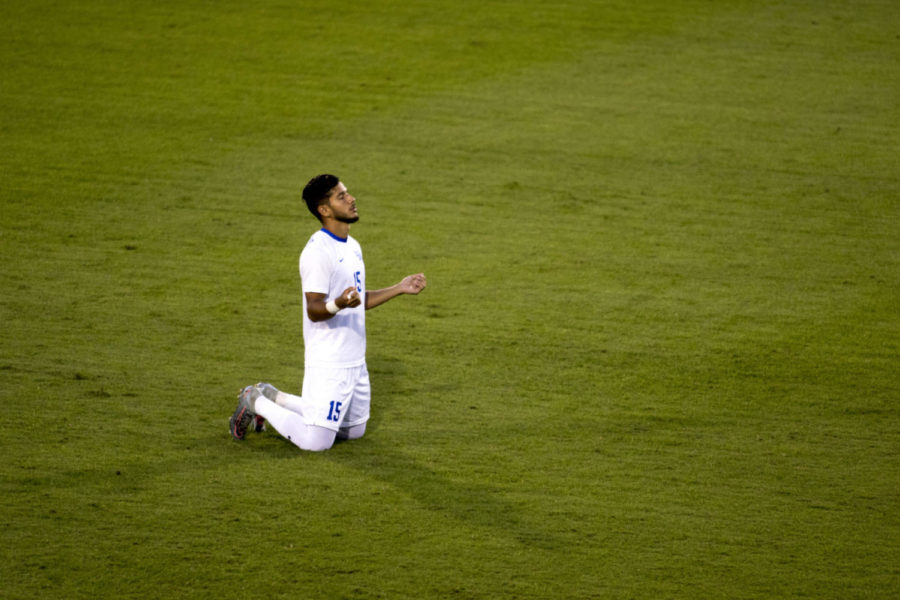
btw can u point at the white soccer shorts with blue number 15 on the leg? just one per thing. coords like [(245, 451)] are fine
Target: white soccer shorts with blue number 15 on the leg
[(336, 398)]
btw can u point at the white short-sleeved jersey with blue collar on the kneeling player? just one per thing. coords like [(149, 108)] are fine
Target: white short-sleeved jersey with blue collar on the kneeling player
[(329, 265)]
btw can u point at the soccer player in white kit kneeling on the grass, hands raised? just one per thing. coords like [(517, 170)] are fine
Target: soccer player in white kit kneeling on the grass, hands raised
[(335, 399)]
